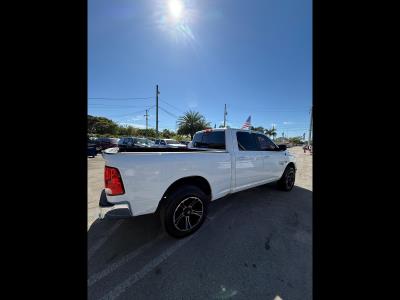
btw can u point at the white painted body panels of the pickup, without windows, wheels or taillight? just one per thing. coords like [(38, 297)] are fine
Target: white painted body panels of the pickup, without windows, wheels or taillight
[(146, 176)]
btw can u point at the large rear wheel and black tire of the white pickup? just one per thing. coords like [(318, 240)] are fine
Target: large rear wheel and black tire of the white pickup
[(184, 211)]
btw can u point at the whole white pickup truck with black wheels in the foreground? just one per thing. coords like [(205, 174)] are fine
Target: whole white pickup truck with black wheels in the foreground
[(178, 183)]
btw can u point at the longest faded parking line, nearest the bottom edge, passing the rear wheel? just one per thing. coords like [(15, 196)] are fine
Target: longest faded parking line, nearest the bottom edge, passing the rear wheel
[(121, 288)]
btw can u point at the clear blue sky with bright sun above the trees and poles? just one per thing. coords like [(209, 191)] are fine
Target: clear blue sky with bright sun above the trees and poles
[(254, 56)]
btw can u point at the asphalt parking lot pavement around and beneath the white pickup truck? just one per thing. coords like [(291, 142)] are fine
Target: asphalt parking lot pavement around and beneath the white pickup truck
[(255, 244)]
